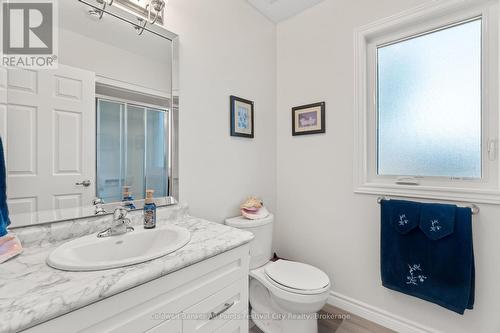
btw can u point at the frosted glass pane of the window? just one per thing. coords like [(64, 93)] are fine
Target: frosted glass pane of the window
[(429, 104)]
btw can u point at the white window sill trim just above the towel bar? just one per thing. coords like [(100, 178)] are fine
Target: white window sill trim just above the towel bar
[(431, 193)]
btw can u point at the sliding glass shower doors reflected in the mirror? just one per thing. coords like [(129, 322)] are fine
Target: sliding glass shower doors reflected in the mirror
[(132, 143)]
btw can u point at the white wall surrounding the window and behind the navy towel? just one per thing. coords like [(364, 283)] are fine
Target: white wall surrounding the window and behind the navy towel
[(320, 219)]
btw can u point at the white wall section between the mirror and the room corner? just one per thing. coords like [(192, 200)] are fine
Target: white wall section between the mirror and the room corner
[(226, 47)]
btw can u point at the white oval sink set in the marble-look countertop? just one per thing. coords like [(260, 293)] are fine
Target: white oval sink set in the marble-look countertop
[(91, 253)]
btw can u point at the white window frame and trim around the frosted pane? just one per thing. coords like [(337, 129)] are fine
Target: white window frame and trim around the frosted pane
[(421, 20)]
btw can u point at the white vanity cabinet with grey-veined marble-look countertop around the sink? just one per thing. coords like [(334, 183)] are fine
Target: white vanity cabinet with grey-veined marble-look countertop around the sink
[(202, 287)]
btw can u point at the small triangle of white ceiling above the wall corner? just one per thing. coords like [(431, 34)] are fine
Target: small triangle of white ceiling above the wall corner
[(279, 10)]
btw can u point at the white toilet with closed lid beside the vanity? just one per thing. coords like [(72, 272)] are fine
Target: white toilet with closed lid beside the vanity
[(284, 295)]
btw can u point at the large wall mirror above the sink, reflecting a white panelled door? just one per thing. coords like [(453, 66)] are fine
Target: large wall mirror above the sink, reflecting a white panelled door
[(101, 128)]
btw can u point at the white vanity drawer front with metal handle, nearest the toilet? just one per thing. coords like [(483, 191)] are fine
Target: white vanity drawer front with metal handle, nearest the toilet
[(217, 310)]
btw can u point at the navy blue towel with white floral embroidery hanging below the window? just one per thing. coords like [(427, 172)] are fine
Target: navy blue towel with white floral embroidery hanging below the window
[(432, 258)]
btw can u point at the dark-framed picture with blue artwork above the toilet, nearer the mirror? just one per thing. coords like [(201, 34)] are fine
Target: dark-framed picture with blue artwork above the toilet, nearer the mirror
[(242, 124)]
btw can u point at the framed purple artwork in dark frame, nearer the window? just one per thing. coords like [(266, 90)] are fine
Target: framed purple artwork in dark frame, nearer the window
[(308, 119)]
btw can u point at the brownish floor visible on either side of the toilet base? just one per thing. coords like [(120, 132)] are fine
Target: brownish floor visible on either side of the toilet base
[(339, 321)]
